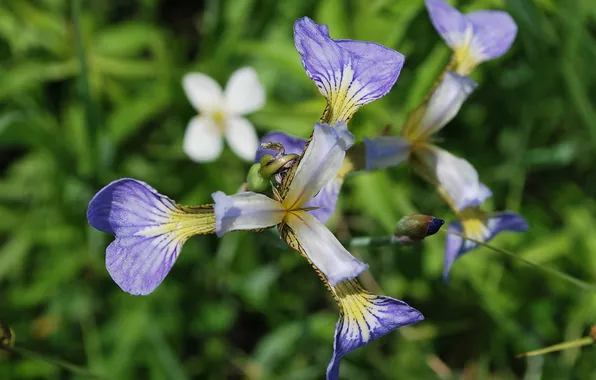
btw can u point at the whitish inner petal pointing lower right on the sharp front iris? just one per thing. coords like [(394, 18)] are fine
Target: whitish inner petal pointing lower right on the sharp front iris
[(311, 238)]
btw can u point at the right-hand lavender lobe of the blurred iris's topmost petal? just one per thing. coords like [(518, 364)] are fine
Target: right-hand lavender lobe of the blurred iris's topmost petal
[(494, 33)]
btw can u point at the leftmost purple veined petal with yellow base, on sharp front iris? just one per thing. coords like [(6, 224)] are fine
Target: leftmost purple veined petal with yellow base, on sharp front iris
[(150, 230)]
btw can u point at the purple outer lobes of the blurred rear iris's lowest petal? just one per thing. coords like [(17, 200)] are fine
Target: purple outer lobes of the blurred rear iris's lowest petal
[(455, 246)]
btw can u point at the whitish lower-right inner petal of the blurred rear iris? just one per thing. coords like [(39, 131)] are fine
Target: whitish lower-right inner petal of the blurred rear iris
[(455, 176)]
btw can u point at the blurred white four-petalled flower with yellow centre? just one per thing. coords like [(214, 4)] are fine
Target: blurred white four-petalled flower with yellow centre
[(220, 114)]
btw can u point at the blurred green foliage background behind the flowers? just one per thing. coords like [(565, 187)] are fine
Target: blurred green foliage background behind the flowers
[(245, 306)]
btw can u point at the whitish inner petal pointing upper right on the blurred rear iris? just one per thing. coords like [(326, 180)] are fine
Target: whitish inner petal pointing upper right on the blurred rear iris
[(444, 103)]
